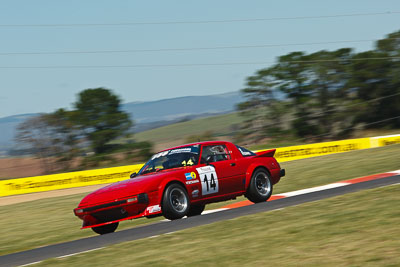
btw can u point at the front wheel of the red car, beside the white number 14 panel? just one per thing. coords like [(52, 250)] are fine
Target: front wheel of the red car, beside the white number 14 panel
[(175, 203)]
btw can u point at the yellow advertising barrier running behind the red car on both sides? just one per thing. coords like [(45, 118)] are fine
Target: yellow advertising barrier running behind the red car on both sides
[(109, 175)]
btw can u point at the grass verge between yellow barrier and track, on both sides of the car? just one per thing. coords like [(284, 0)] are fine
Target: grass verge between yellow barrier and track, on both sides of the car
[(48, 221)]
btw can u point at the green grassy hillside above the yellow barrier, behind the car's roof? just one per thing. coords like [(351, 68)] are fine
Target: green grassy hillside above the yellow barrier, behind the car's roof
[(220, 125)]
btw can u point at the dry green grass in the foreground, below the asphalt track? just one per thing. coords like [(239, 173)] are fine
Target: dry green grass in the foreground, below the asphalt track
[(358, 229)]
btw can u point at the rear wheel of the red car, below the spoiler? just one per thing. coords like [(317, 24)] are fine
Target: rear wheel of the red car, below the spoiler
[(260, 187)]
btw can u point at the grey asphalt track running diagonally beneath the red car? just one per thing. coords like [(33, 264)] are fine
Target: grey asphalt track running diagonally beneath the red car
[(163, 227)]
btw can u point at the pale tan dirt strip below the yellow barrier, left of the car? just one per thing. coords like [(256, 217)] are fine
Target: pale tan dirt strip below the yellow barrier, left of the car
[(8, 200)]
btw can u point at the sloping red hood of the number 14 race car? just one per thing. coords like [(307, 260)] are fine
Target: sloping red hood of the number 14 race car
[(126, 188)]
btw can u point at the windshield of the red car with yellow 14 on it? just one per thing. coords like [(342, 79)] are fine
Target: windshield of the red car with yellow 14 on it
[(174, 158)]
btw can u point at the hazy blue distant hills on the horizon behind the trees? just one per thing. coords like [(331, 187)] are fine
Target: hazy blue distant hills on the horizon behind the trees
[(147, 115)]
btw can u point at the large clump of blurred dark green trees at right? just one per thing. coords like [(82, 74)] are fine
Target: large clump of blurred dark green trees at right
[(326, 93)]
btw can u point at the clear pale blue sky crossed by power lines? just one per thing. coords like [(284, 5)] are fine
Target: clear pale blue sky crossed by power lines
[(46, 89)]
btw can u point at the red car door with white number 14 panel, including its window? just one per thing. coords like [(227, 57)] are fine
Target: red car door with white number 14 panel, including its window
[(218, 172)]
